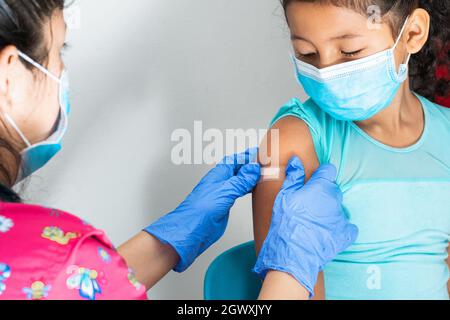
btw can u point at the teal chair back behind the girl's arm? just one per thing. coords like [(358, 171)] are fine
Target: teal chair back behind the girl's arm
[(230, 275)]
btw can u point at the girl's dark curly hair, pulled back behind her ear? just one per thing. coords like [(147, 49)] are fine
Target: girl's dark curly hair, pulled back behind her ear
[(424, 64)]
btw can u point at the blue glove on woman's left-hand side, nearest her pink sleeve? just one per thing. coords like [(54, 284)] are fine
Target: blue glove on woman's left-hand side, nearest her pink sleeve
[(201, 220)]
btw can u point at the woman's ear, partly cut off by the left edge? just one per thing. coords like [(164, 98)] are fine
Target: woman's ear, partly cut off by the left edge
[(9, 60)]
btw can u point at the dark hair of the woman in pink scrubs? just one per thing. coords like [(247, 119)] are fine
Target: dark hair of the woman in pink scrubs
[(21, 25)]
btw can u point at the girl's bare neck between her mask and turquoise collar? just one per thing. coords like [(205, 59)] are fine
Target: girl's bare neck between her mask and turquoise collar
[(401, 124)]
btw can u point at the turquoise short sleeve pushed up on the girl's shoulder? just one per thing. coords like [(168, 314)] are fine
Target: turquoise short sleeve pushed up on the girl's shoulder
[(313, 116)]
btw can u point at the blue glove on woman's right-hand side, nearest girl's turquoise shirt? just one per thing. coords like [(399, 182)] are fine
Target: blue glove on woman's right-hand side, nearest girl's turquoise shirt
[(309, 228)]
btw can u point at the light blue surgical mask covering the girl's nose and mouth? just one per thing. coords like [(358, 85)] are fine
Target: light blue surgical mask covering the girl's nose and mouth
[(355, 90)]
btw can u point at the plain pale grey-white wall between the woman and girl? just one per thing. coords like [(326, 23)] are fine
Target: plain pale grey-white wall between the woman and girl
[(141, 69)]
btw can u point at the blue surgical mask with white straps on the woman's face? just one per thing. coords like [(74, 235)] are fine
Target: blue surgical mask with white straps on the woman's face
[(36, 156)]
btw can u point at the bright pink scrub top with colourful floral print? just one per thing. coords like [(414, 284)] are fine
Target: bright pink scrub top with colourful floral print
[(50, 254)]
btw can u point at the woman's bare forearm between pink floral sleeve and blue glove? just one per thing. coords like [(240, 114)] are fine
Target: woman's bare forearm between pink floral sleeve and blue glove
[(148, 258)]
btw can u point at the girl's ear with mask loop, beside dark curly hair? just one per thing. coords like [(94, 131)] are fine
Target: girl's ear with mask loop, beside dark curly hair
[(418, 31)]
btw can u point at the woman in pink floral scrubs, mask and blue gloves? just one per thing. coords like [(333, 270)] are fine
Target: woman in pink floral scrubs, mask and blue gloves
[(50, 254)]
